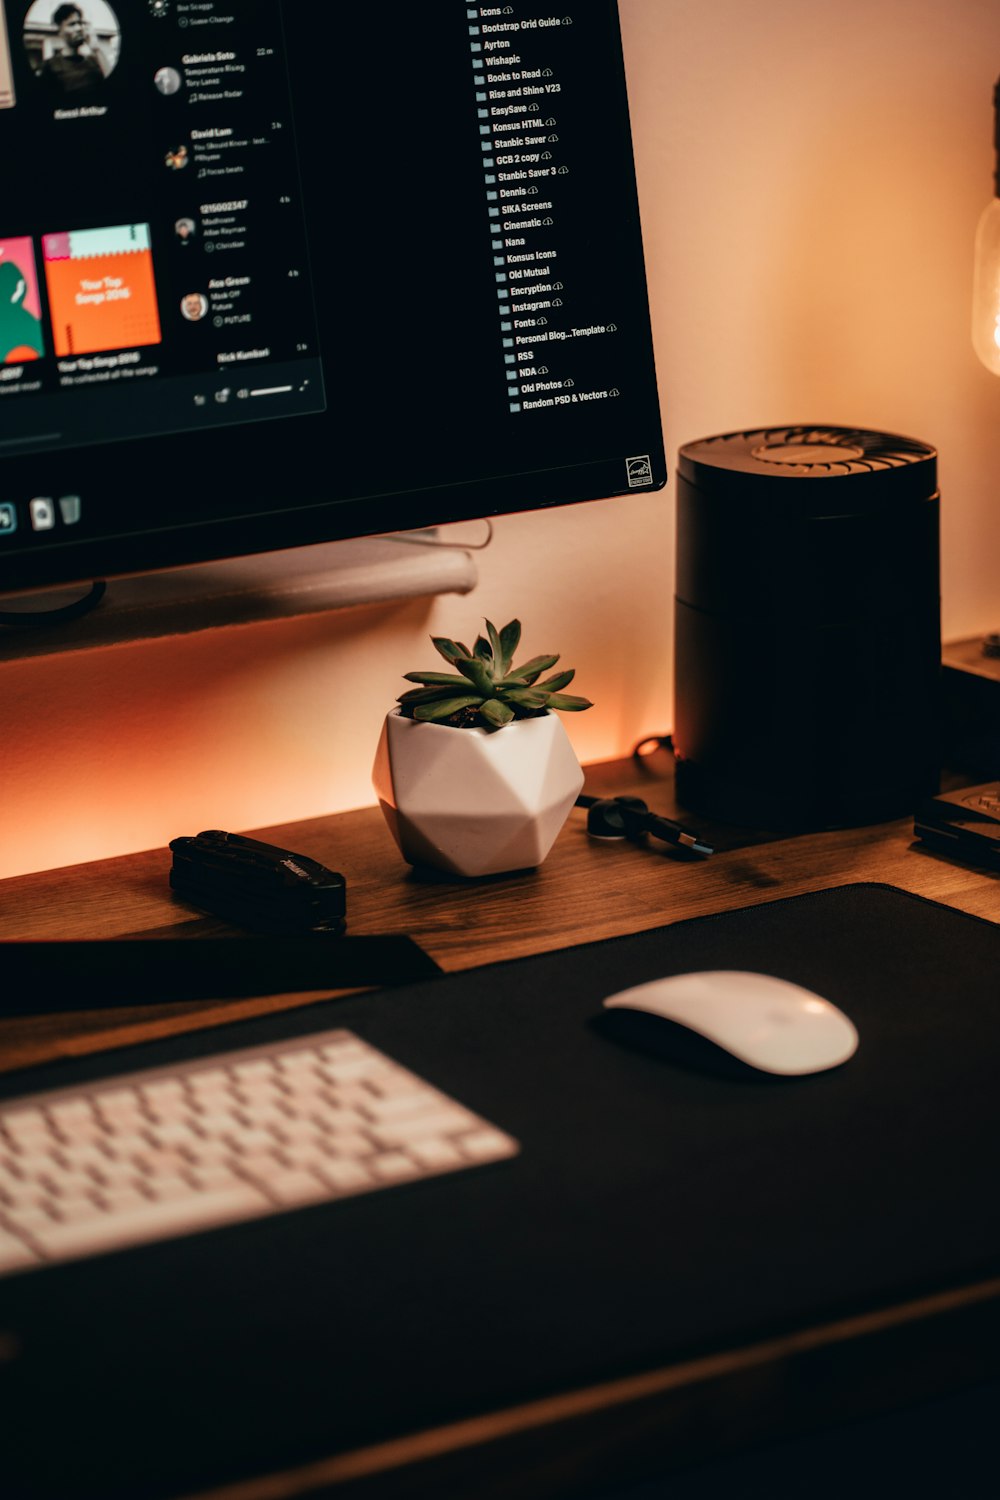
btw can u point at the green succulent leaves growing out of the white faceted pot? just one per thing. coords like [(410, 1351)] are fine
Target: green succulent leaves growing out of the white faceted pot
[(487, 691)]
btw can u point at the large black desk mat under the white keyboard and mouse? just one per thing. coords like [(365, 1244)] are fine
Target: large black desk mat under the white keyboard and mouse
[(657, 1210)]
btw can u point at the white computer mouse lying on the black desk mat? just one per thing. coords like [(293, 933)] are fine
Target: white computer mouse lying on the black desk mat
[(770, 1024)]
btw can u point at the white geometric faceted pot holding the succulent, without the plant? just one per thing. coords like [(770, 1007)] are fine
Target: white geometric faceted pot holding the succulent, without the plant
[(475, 802)]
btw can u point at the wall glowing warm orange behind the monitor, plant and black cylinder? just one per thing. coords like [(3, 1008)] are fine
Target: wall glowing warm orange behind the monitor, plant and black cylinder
[(810, 175)]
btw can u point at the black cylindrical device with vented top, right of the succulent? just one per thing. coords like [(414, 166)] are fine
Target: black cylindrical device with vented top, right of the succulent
[(807, 649)]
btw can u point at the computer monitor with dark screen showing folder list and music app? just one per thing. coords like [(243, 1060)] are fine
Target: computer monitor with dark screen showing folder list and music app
[(281, 274)]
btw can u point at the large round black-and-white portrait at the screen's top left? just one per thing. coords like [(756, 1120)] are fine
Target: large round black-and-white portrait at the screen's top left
[(73, 49)]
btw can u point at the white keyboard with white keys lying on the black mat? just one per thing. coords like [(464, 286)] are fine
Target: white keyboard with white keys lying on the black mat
[(230, 1138)]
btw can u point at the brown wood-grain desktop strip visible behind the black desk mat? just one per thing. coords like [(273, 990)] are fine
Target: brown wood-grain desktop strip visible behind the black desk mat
[(584, 892)]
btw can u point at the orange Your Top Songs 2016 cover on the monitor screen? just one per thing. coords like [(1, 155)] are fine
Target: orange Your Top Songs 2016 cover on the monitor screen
[(101, 289)]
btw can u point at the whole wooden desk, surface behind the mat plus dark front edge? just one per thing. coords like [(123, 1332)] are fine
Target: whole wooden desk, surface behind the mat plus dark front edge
[(584, 892)]
